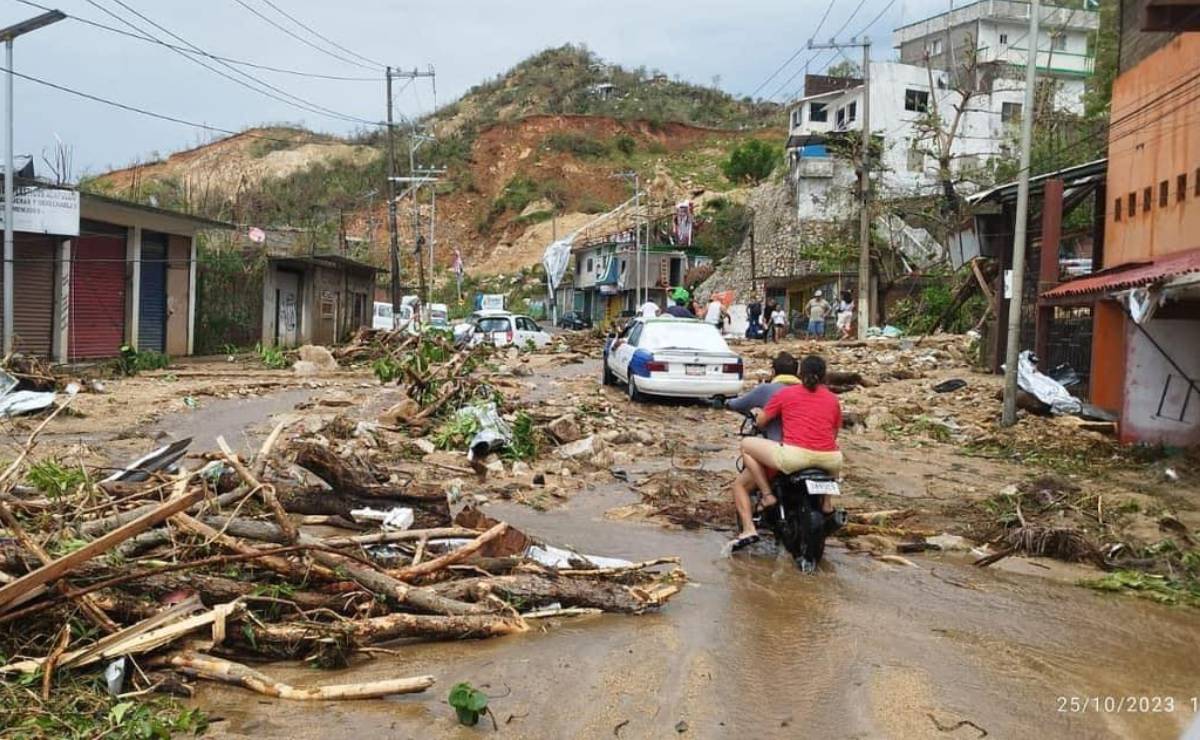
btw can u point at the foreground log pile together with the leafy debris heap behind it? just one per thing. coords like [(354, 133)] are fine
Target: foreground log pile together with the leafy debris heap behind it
[(172, 561)]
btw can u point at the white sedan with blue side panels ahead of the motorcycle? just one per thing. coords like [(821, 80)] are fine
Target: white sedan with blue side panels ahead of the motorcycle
[(677, 358)]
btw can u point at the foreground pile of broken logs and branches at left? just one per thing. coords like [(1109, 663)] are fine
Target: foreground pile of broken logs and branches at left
[(185, 573)]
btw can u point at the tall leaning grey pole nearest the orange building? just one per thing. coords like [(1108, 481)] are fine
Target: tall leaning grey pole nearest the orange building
[(1023, 210)]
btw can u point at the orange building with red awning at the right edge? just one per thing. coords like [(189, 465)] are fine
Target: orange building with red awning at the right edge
[(1147, 292)]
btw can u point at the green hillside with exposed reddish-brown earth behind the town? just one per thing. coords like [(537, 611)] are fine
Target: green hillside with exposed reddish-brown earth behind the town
[(531, 152)]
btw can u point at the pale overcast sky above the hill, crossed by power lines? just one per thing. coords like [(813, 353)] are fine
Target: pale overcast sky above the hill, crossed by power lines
[(466, 41)]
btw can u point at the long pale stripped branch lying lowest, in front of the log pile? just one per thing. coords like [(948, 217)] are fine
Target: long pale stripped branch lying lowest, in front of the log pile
[(229, 672)]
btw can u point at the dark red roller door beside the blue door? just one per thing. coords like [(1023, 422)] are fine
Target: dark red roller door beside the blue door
[(98, 296)]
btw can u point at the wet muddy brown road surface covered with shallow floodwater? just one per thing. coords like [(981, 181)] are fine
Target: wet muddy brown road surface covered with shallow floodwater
[(863, 649)]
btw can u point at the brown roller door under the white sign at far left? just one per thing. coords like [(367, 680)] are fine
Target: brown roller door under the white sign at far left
[(33, 312)]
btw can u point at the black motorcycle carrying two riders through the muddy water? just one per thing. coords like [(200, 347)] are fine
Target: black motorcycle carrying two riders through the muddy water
[(796, 519)]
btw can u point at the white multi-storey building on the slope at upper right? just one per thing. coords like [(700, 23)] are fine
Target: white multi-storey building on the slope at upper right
[(902, 95)]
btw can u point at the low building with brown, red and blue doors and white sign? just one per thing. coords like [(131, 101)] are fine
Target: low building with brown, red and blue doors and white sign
[(94, 274)]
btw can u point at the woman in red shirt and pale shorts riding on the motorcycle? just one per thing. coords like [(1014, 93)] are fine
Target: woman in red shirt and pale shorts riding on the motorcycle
[(812, 417)]
